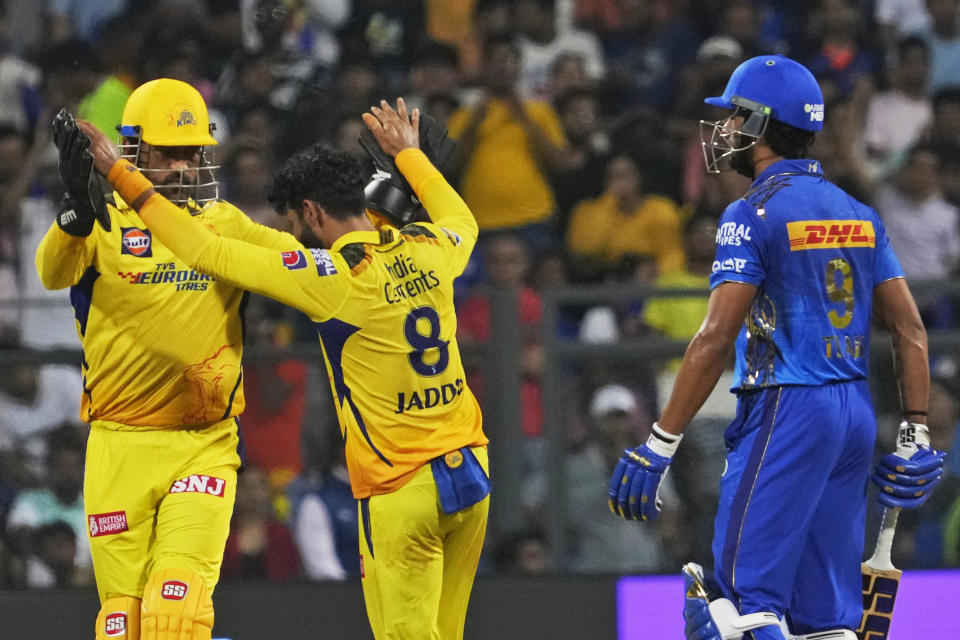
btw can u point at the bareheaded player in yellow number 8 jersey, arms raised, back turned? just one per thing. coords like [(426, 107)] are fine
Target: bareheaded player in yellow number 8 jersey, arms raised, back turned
[(382, 301)]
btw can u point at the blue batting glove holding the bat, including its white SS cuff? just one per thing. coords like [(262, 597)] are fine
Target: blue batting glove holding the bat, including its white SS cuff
[(907, 478)]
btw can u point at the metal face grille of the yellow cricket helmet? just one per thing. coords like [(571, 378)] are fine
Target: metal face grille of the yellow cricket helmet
[(194, 187)]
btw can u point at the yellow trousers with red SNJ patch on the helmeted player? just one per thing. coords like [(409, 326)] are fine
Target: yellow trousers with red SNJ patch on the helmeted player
[(158, 499)]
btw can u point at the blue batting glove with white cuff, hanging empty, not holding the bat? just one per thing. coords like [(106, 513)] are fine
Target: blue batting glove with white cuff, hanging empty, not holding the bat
[(635, 483)]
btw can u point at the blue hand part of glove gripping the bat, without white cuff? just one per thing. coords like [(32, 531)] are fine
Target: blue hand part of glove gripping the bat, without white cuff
[(908, 483)]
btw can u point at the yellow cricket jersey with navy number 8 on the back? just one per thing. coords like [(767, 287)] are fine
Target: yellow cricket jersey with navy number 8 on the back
[(382, 302)]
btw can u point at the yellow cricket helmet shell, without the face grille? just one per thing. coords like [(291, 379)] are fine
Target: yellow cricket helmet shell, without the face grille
[(167, 113)]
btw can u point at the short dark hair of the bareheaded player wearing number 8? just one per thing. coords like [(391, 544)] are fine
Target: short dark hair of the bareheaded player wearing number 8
[(330, 177)]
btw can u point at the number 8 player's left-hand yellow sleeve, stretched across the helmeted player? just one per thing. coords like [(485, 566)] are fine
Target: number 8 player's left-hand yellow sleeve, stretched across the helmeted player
[(314, 281)]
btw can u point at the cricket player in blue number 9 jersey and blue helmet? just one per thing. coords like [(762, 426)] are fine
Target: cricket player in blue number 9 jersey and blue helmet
[(801, 269)]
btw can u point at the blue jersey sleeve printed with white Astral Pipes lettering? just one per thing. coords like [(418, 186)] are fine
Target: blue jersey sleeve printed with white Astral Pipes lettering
[(740, 248)]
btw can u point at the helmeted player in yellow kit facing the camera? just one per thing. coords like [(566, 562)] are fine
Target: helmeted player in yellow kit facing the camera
[(162, 380)]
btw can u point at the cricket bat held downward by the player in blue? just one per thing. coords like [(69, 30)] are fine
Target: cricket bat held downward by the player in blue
[(880, 582)]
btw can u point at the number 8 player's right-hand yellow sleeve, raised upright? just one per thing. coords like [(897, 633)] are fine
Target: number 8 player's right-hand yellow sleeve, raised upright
[(447, 209)]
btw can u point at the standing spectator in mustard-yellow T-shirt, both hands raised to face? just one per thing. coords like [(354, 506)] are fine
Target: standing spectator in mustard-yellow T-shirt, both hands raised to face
[(505, 145)]
